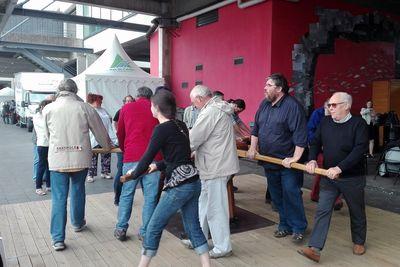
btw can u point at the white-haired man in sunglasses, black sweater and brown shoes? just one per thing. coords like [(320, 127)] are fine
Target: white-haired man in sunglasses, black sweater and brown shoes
[(343, 140)]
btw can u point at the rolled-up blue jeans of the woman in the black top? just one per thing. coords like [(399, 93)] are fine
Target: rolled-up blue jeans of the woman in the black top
[(186, 198)]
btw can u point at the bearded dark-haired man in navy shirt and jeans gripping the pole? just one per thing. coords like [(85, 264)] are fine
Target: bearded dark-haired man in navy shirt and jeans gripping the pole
[(280, 131)]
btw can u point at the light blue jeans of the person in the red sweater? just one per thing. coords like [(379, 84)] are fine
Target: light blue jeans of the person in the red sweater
[(150, 184)]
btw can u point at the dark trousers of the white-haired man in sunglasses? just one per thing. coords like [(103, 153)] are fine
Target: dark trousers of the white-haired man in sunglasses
[(352, 190)]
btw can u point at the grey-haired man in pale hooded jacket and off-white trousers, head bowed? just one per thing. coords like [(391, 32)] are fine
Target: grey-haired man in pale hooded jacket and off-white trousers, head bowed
[(213, 139)]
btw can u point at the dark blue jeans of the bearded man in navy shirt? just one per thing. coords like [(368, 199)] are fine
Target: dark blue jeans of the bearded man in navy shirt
[(285, 188)]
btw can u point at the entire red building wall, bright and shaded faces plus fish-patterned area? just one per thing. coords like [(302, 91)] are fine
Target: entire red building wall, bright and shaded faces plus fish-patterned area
[(264, 36)]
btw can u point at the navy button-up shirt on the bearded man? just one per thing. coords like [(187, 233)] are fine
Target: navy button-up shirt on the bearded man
[(280, 128)]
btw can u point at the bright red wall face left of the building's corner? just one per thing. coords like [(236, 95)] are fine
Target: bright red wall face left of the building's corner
[(238, 33)]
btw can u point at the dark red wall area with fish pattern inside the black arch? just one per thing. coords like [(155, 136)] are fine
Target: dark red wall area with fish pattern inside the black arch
[(353, 74)]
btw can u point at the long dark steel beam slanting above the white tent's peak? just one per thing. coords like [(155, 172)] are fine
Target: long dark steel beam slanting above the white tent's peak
[(81, 20)]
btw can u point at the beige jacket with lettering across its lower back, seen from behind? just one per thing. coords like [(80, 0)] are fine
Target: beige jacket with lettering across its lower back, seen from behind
[(68, 122)]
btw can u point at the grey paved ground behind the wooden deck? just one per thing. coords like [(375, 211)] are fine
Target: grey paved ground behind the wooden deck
[(16, 183)]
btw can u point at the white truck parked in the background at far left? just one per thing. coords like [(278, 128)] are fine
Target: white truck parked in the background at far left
[(30, 89)]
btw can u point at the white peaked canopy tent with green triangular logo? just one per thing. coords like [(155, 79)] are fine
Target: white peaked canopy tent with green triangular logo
[(114, 75)]
